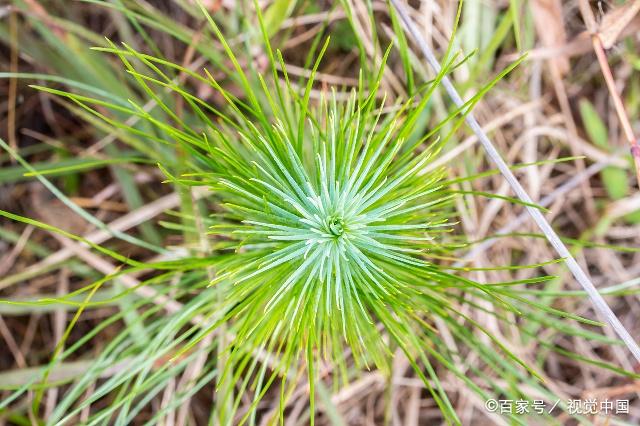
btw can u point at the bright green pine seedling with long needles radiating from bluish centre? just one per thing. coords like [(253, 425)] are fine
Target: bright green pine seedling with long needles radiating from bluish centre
[(328, 232)]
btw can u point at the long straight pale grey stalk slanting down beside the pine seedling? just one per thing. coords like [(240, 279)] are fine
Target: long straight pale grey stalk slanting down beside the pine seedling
[(598, 301)]
